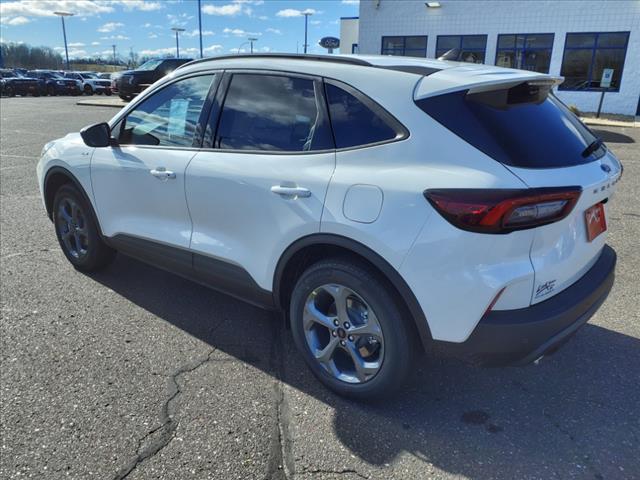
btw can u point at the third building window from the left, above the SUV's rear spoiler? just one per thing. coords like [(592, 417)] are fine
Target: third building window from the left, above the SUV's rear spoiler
[(529, 51)]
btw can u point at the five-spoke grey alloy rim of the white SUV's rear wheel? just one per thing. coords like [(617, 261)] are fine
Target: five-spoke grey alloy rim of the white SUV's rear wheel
[(343, 333)]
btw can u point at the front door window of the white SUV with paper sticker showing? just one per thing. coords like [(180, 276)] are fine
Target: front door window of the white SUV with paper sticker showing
[(168, 117)]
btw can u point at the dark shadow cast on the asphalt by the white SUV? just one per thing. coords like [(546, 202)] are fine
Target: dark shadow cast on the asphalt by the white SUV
[(574, 414)]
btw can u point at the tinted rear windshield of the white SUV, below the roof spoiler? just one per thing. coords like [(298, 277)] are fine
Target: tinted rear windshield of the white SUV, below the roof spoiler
[(539, 134)]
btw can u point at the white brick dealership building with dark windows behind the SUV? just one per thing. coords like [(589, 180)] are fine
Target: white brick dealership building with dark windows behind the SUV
[(594, 45)]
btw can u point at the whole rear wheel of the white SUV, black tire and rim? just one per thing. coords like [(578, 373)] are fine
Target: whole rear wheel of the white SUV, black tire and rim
[(381, 332)]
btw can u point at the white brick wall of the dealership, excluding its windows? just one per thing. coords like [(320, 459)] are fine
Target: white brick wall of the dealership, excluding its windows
[(380, 18)]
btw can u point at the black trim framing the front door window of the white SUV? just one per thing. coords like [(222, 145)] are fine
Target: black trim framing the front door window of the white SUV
[(117, 122)]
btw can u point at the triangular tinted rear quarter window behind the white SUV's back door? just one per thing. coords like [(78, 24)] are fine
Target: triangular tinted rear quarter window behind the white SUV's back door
[(359, 121)]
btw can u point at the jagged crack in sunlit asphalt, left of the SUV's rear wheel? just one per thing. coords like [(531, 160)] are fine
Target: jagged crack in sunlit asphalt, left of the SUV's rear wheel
[(168, 424)]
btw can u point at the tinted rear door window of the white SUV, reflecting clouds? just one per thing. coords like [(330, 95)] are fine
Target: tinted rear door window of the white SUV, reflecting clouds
[(272, 113)]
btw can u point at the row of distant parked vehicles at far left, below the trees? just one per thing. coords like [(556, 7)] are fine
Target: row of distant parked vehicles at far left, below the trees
[(52, 82)]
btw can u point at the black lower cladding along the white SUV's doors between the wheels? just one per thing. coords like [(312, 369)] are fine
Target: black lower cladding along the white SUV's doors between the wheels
[(217, 274)]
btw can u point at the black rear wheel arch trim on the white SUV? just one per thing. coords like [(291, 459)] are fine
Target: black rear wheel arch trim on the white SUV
[(307, 250)]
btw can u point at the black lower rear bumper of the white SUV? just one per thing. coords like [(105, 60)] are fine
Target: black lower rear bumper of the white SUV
[(519, 337)]
